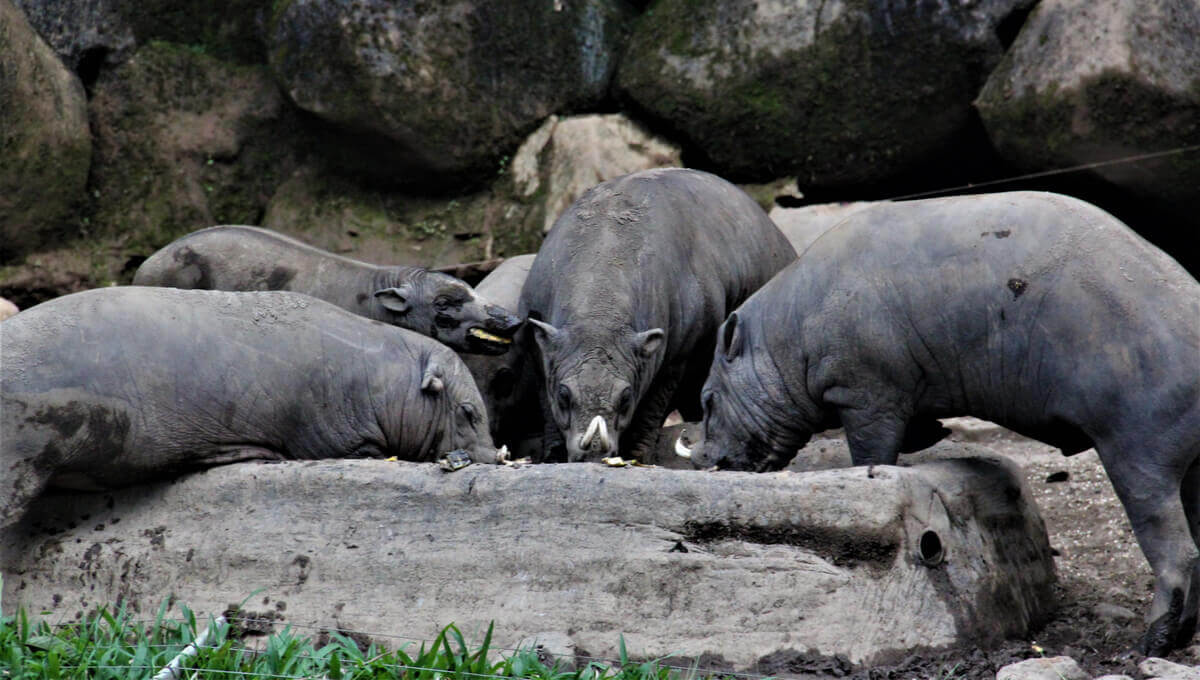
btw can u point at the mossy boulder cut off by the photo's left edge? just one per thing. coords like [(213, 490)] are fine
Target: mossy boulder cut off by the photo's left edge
[(45, 145)]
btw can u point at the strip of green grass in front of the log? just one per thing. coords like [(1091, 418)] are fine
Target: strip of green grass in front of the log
[(110, 646)]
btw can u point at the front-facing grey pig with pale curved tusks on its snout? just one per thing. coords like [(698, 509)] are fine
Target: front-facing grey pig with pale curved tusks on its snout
[(626, 297)]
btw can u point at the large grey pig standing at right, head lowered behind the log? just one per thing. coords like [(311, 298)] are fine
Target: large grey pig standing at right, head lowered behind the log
[(1035, 311)]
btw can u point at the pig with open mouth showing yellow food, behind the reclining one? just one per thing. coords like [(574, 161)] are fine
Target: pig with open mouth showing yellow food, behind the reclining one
[(250, 258)]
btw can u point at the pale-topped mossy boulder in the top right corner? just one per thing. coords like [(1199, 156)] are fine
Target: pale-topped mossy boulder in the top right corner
[(1127, 86)]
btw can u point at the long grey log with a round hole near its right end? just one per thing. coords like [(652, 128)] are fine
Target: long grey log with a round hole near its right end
[(854, 562)]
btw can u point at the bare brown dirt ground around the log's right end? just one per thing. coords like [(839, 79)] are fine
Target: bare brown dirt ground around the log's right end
[(1105, 583)]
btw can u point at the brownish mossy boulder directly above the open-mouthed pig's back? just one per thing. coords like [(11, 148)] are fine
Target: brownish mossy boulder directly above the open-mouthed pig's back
[(184, 142)]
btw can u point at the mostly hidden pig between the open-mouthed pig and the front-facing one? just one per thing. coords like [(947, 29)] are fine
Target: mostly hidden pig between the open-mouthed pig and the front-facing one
[(507, 382)]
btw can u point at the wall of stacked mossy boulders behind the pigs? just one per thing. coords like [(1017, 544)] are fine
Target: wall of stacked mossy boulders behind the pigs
[(429, 134)]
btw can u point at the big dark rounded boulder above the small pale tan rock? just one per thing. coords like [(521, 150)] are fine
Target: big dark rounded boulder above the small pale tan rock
[(423, 92)]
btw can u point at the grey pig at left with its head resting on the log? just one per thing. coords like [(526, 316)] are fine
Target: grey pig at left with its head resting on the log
[(119, 386)]
